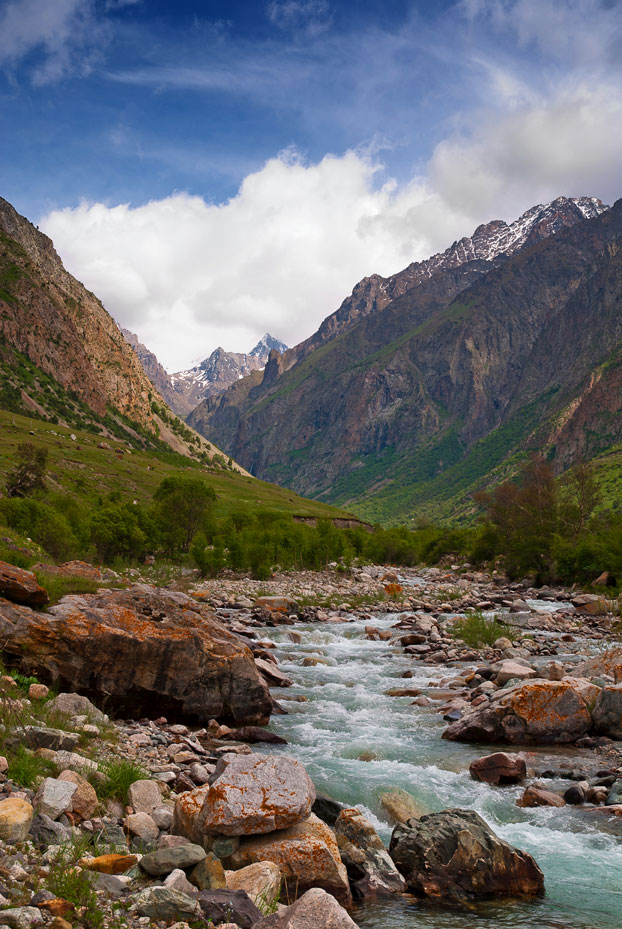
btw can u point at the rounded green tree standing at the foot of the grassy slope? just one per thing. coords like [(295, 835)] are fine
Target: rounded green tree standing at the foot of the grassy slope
[(184, 505)]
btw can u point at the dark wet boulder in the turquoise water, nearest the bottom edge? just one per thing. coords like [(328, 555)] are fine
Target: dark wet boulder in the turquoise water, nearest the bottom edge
[(454, 855)]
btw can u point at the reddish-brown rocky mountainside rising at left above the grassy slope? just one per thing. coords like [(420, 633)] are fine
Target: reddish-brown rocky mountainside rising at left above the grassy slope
[(62, 356)]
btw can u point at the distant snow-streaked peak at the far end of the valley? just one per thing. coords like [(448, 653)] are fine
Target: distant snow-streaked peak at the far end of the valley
[(216, 373)]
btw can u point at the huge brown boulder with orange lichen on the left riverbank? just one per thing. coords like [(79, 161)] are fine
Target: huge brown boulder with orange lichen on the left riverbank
[(141, 652)]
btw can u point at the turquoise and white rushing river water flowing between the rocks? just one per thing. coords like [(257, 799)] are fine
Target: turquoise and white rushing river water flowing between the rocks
[(347, 716)]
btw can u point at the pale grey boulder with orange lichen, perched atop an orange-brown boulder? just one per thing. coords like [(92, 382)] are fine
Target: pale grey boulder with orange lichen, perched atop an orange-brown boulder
[(250, 795)]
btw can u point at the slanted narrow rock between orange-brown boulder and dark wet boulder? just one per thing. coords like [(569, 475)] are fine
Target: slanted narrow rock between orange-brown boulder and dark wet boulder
[(369, 866)]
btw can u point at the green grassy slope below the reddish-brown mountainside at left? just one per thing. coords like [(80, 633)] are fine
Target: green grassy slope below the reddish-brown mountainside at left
[(86, 471)]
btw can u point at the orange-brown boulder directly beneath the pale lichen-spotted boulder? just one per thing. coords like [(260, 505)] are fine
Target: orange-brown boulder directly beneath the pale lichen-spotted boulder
[(306, 854)]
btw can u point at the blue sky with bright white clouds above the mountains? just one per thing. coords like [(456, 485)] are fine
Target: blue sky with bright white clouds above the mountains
[(216, 170)]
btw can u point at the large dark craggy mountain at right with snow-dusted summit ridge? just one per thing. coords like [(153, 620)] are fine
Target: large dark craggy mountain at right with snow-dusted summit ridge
[(428, 384)]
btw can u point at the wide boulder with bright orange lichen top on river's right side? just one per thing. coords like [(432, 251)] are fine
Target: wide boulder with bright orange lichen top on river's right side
[(534, 712)]
